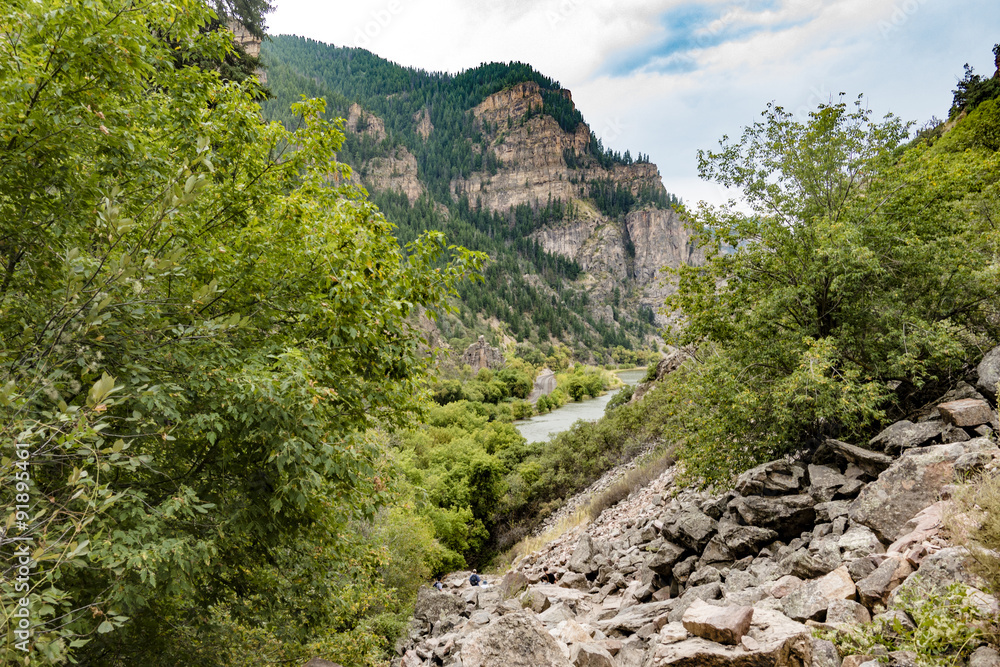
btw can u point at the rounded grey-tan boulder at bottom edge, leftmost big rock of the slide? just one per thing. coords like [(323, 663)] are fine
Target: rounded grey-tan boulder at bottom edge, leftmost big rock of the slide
[(514, 640)]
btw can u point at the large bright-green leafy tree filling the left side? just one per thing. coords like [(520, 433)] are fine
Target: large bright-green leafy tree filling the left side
[(197, 328)]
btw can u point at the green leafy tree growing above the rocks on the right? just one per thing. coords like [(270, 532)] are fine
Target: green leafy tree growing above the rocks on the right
[(848, 271)]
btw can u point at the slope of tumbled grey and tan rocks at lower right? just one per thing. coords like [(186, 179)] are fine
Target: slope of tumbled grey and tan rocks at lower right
[(829, 539)]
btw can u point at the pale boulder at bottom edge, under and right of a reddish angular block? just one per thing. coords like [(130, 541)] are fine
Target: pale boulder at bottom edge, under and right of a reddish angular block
[(773, 639)]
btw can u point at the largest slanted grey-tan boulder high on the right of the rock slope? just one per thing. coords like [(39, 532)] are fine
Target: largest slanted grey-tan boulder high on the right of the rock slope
[(912, 483)]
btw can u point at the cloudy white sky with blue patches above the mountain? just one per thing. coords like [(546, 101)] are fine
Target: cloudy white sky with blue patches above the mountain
[(670, 77)]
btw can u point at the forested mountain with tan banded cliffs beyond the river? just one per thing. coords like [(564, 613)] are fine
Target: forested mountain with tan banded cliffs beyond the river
[(500, 158)]
